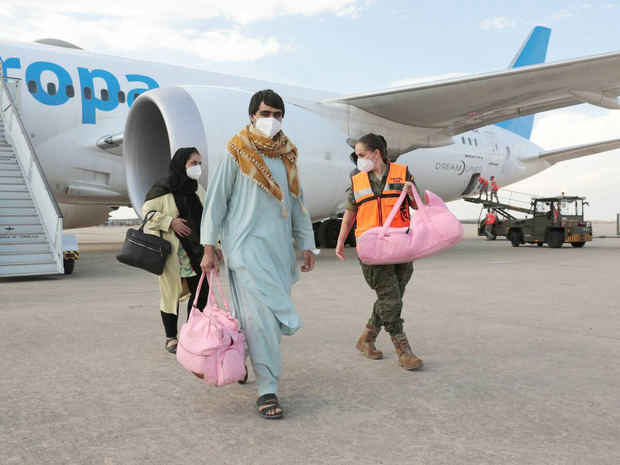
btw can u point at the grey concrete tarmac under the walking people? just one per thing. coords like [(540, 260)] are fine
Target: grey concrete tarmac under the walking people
[(521, 349)]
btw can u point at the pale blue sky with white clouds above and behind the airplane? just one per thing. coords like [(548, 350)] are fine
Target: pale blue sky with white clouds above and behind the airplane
[(351, 46)]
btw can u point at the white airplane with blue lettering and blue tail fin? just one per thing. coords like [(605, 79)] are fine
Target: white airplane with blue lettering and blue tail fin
[(103, 128)]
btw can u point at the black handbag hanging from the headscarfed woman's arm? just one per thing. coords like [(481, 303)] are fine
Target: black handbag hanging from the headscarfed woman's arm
[(144, 250)]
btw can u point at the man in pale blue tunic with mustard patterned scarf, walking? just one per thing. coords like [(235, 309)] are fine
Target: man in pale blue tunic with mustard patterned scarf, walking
[(254, 205)]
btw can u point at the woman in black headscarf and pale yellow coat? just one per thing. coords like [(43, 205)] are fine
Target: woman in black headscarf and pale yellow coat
[(177, 201)]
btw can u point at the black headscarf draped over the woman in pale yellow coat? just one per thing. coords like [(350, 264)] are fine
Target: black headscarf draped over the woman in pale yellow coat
[(183, 188)]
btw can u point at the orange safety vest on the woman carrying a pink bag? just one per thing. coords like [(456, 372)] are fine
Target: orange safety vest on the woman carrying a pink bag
[(372, 211)]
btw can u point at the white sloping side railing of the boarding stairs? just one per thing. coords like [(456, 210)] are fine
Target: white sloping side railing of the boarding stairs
[(32, 170)]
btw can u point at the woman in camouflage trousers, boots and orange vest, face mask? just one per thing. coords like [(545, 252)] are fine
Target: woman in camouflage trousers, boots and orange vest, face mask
[(375, 186)]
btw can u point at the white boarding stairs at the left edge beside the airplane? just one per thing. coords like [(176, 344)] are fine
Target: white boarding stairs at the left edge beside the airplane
[(30, 219)]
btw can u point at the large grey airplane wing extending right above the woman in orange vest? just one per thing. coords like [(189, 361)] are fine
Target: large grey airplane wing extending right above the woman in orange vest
[(446, 108)]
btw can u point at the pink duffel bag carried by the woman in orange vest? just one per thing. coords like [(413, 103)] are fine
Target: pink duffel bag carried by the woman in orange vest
[(432, 228)]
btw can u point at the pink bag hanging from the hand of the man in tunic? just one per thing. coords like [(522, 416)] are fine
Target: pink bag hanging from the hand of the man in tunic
[(211, 344)]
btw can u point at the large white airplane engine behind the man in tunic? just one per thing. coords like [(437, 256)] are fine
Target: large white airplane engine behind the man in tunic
[(162, 120)]
